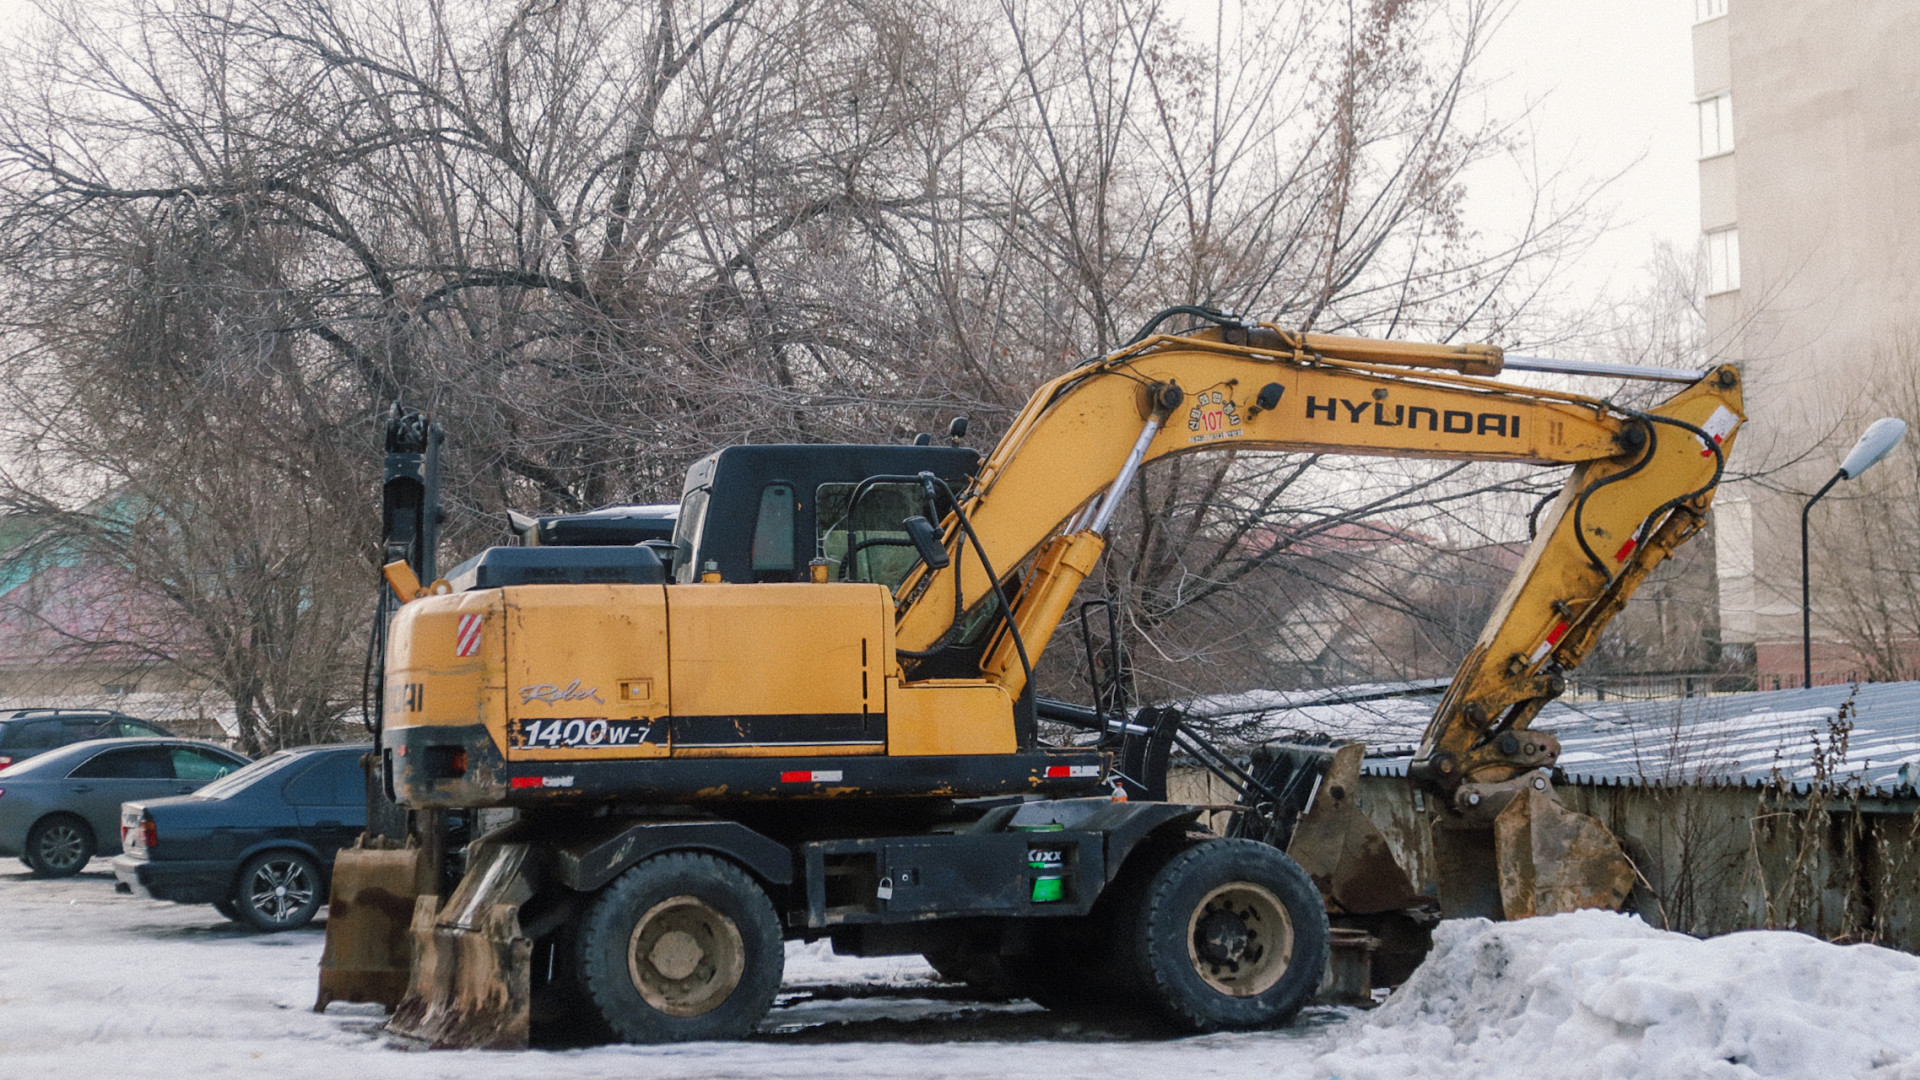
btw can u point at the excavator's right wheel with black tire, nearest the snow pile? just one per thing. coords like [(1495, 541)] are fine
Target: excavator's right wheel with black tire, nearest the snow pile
[(1228, 935)]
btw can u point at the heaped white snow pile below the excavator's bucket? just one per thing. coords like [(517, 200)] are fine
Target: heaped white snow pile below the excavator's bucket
[(1606, 996)]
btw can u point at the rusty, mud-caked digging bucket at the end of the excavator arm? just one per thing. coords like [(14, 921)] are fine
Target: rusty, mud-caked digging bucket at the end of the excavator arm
[(1552, 860)]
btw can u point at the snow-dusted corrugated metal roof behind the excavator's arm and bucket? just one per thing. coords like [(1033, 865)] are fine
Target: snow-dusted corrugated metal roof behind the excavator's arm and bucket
[(1733, 739)]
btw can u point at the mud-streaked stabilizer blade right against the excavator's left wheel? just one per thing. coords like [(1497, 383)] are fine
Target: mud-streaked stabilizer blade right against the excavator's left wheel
[(471, 962)]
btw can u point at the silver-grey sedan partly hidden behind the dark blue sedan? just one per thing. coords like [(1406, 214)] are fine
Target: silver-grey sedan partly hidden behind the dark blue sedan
[(62, 808)]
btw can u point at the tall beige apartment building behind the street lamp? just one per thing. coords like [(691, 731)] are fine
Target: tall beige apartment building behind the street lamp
[(1810, 201)]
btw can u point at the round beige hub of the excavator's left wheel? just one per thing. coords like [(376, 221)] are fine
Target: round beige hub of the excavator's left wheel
[(686, 958)]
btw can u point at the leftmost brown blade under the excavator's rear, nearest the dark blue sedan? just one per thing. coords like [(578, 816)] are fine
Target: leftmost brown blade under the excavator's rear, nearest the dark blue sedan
[(368, 916)]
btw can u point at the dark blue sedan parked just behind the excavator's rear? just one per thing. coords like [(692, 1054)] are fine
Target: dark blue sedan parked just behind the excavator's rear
[(258, 845)]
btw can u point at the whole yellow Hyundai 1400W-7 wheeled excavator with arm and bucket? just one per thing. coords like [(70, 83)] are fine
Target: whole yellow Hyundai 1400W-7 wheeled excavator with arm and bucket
[(811, 714)]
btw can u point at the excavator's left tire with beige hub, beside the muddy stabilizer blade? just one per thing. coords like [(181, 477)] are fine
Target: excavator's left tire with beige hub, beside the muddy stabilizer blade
[(681, 948)]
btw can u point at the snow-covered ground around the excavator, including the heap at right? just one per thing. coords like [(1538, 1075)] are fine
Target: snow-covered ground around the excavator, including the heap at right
[(97, 985)]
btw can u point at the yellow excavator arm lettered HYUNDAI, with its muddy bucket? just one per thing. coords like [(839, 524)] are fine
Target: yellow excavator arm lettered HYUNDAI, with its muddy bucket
[(1641, 487)]
